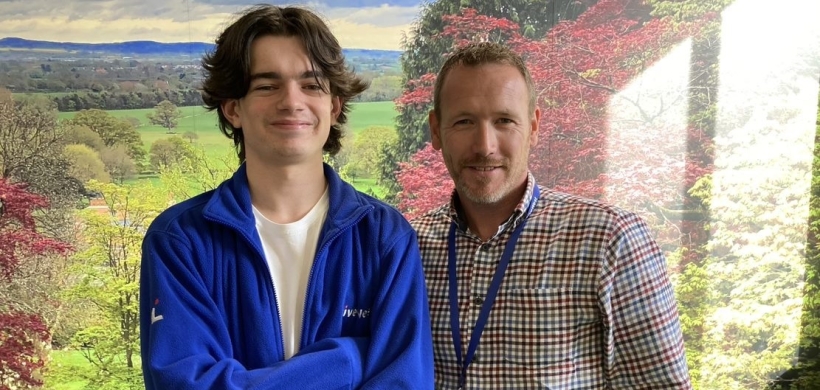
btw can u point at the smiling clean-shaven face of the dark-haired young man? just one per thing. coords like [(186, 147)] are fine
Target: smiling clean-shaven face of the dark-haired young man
[(285, 116)]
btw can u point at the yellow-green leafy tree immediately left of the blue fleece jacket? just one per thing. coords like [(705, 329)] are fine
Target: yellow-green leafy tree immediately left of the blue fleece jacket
[(108, 272)]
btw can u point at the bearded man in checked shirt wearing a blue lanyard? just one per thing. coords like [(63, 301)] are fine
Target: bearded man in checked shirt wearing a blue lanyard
[(530, 288)]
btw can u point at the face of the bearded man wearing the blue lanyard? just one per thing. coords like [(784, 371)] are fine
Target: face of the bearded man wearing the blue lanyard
[(485, 131)]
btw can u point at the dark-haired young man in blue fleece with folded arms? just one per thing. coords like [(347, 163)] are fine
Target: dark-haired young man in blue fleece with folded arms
[(284, 276)]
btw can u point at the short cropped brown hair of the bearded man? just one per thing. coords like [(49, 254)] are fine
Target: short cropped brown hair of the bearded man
[(482, 53)]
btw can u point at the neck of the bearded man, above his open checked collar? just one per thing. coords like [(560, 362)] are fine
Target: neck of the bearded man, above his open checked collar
[(483, 219)]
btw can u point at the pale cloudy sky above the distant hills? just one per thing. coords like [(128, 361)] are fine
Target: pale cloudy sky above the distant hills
[(363, 24)]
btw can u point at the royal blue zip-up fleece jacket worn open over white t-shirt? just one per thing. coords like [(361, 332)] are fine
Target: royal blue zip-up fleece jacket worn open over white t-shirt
[(208, 311)]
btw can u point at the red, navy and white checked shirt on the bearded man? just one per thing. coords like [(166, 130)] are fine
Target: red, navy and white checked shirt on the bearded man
[(585, 302)]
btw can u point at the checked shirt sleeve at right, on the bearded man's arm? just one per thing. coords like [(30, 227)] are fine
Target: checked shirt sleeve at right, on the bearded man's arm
[(643, 340)]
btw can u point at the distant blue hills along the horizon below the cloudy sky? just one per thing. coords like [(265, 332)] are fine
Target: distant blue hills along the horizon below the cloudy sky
[(145, 48)]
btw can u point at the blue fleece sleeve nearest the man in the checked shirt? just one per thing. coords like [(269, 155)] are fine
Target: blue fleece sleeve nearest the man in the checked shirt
[(400, 354)]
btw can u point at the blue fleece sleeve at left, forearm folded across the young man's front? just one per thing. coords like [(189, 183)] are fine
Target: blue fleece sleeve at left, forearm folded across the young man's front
[(192, 350)]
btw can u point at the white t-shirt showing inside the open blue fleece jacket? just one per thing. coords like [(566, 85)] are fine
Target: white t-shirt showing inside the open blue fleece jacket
[(289, 250)]
